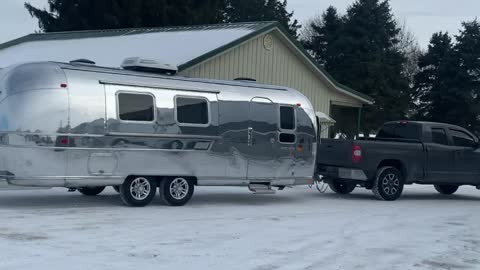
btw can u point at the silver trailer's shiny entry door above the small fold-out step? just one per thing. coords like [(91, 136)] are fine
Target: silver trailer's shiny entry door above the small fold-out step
[(262, 136)]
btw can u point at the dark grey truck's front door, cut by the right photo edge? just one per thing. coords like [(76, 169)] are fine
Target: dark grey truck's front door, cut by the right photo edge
[(465, 157)]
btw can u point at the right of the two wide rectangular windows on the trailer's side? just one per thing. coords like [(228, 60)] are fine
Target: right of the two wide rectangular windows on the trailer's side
[(193, 111)]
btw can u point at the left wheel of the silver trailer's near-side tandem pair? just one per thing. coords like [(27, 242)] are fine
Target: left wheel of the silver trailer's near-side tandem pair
[(138, 191)]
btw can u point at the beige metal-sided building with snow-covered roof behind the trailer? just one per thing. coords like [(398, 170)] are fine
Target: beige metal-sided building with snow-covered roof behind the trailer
[(263, 51)]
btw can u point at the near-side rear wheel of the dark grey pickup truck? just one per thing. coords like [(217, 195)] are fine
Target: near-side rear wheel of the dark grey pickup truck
[(388, 184)]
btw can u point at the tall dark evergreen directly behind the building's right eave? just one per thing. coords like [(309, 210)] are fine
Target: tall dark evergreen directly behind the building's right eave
[(368, 58)]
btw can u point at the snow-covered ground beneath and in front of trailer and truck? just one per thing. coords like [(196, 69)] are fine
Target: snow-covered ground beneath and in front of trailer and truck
[(228, 228)]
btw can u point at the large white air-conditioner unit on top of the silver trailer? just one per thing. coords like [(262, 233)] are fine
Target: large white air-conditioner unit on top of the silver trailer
[(147, 65)]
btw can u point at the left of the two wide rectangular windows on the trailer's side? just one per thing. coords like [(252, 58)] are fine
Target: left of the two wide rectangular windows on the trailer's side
[(136, 107)]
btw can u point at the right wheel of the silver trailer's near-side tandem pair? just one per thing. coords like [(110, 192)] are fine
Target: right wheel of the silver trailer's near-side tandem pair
[(176, 191)]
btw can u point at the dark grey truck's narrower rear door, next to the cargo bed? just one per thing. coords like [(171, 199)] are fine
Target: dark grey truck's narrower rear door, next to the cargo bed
[(439, 156)]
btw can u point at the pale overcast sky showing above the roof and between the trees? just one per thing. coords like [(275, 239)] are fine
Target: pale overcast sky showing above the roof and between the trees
[(423, 17)]
